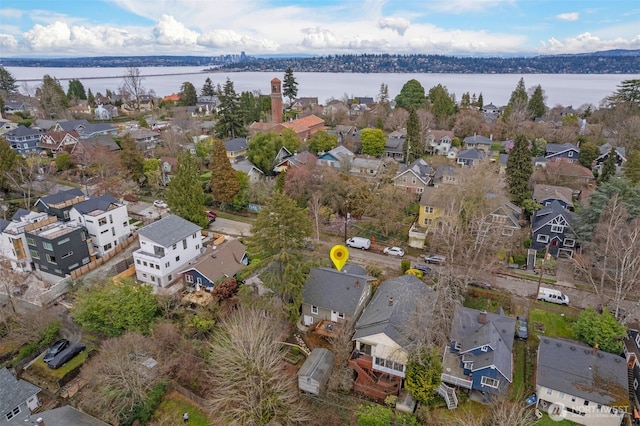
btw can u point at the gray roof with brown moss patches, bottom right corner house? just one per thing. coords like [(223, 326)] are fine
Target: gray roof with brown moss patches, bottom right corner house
[(570, 367)]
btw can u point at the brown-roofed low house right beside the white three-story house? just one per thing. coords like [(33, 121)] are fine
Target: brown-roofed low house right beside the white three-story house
[(217, 263)]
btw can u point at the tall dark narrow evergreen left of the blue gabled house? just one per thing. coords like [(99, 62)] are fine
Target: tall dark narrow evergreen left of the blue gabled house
[(519, 171)]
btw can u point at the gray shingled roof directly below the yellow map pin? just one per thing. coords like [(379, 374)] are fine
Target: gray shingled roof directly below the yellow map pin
[(332, 289)]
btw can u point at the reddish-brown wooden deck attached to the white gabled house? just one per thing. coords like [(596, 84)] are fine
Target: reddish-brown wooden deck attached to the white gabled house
[(372, 383)]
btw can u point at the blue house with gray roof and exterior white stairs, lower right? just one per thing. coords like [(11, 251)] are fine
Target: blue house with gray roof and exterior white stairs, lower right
[(479, 356)]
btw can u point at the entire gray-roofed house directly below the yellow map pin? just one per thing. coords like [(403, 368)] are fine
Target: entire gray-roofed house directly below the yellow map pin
[(335, 296)]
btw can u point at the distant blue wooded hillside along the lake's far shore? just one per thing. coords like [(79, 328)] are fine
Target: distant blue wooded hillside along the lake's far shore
[(606, 62)]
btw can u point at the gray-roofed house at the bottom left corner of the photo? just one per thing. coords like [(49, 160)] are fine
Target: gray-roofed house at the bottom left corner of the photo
[(18, 398)]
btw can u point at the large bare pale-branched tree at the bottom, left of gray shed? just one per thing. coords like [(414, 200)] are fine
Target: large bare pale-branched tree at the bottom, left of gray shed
[(250, 387)]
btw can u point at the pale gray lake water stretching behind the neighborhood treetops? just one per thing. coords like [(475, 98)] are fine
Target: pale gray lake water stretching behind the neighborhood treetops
[(560, 89)]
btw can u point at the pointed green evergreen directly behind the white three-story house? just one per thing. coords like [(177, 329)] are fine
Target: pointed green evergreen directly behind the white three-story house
[(185, 195)]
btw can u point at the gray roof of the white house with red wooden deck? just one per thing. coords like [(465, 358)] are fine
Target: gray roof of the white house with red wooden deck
[(381, 316)]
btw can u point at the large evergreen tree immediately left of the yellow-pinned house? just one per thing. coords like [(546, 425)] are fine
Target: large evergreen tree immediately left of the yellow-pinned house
[(278, 235)]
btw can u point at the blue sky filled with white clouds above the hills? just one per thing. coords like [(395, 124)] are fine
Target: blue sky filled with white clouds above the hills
[(63, 28)]
